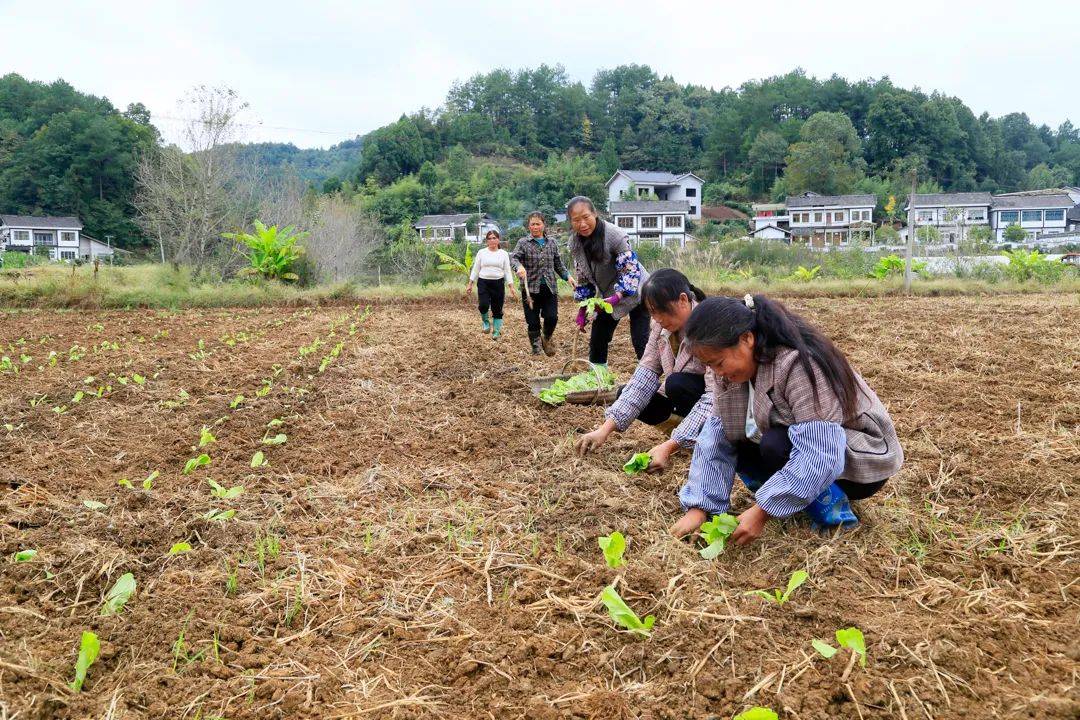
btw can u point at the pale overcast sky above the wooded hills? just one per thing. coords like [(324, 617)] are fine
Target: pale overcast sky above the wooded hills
[(319, 73)]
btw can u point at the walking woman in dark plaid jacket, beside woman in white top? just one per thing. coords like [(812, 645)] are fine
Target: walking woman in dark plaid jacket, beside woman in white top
[(537, 263)]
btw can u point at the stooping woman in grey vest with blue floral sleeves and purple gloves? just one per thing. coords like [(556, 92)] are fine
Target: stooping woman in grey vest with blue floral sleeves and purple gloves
[(607, 268)]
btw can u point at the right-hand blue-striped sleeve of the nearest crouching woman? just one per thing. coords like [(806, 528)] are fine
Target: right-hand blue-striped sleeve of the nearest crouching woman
[(817, 460)]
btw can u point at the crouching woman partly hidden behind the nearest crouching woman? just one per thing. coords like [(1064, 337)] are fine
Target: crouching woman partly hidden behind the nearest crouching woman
[(669, 382)]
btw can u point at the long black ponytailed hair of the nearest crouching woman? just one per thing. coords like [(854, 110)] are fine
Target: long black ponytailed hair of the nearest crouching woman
[(720, 323)]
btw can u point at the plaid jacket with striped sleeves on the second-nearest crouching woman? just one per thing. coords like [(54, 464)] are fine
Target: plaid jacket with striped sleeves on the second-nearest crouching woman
[(660, 361)]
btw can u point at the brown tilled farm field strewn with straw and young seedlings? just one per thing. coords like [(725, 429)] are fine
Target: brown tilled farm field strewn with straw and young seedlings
[(422, 542)]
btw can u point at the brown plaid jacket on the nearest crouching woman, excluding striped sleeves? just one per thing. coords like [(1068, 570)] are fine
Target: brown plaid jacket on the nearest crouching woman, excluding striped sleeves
[(785, 397)]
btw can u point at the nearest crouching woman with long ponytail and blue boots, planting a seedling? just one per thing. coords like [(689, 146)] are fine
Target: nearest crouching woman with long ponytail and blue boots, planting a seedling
[(801, 427)]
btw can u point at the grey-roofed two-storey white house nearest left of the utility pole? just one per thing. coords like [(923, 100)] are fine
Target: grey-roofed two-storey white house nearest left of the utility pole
[(823, 221)]
